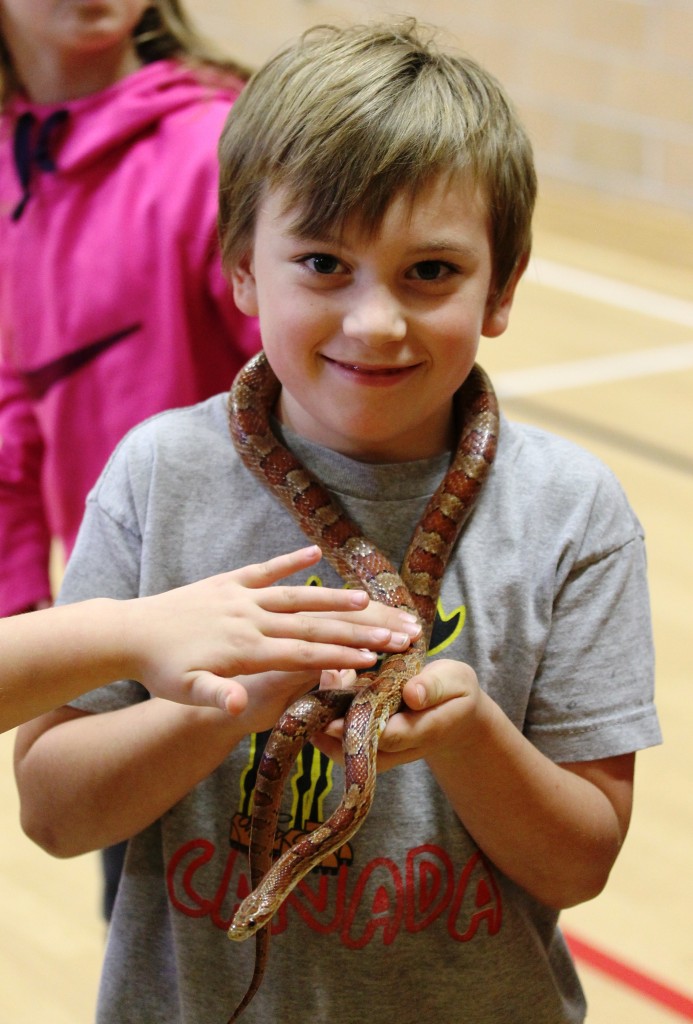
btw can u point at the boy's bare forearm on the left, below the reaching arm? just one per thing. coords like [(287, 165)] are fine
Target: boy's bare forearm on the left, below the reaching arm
[(88, 782)]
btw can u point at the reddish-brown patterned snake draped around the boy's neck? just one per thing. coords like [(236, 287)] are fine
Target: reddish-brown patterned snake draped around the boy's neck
[(368, 708)]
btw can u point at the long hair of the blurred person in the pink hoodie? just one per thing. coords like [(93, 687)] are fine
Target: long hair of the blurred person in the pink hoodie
[(164, 31)]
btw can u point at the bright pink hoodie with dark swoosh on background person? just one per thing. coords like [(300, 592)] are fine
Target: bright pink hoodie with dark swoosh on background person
[(113, 305)]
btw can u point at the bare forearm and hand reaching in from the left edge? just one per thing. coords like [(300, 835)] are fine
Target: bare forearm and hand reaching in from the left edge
[(187, 645)]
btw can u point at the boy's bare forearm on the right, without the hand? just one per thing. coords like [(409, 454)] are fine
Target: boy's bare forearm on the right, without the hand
[(554, 831)]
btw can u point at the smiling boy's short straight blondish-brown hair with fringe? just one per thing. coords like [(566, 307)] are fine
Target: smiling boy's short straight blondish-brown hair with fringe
[(346, 119)]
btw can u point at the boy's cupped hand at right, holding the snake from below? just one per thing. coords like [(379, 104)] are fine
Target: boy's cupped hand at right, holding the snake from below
[(441, 714)]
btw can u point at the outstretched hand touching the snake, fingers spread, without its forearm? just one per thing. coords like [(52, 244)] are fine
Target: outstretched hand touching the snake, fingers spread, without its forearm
[(190, 643)]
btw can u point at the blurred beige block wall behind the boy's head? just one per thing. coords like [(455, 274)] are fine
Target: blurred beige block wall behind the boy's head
[(604, 87)]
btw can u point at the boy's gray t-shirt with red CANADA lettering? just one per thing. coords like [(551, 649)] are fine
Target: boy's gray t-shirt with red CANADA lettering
[(545, 596)]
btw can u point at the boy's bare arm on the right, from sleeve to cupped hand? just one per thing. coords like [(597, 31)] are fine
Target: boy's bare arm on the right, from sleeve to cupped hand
[(555, 830)]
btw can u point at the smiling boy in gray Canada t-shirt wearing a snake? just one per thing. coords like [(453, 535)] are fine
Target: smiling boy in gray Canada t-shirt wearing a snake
[(376, 208)]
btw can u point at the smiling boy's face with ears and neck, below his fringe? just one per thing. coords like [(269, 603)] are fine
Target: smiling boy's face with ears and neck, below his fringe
[(372, 337)]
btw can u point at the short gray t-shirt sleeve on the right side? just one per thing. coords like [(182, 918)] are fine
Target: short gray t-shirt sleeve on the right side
[(594, 693)]
